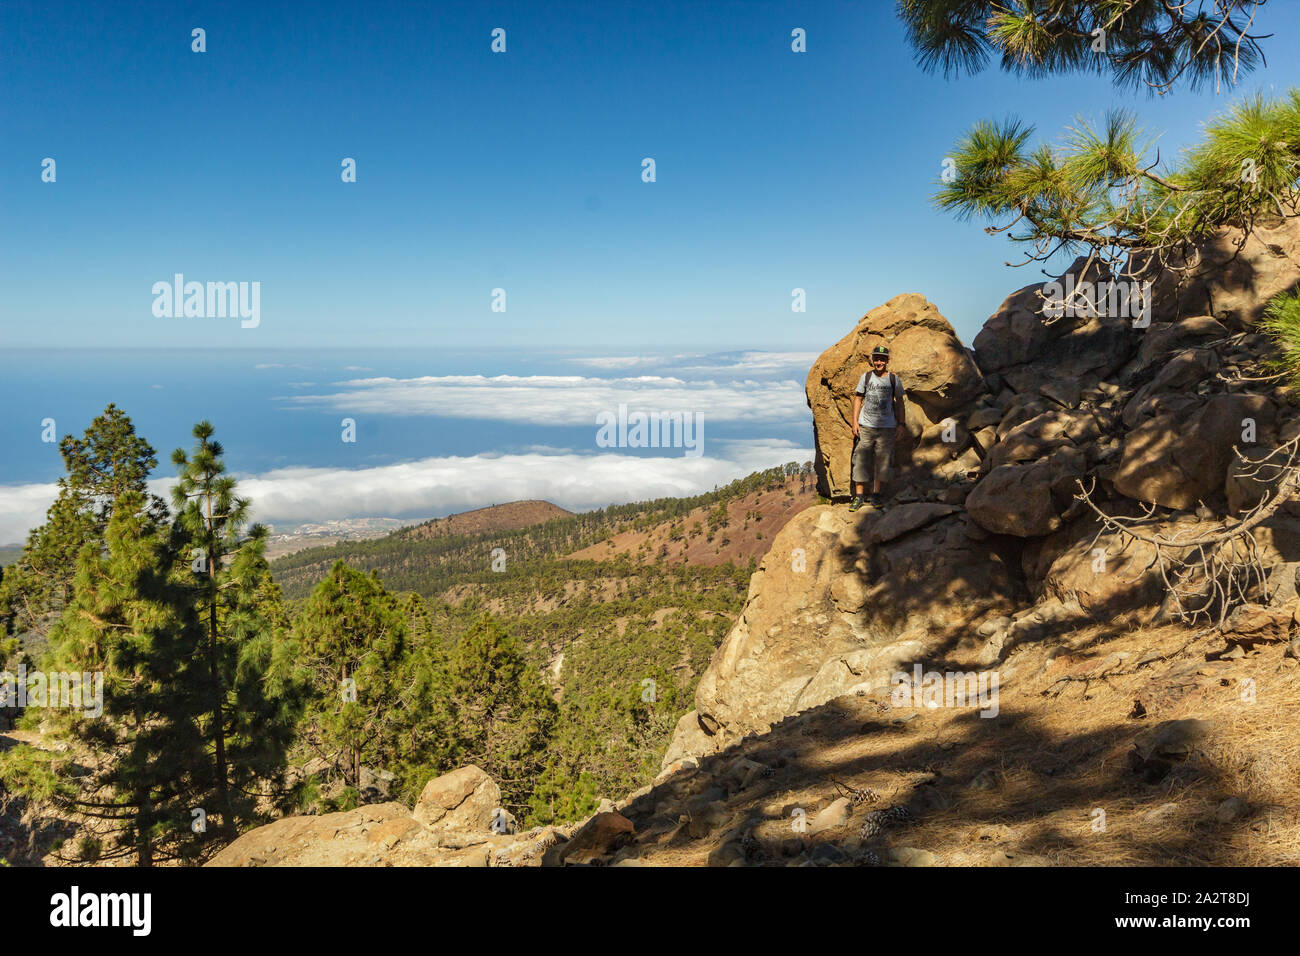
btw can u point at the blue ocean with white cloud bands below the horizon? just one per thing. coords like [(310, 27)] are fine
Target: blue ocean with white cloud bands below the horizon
[(319, 435)]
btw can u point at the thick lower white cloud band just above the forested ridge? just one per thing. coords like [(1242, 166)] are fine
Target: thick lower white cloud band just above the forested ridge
[(441, 486)]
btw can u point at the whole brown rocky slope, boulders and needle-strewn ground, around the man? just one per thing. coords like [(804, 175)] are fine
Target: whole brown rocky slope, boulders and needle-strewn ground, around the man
[(1087, 724)]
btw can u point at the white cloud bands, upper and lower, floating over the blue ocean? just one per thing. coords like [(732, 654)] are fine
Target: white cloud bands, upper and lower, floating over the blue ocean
[(756, 390)]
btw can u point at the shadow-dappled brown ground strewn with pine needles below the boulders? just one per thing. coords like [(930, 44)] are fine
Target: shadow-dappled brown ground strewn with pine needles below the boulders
[(1056, 778)]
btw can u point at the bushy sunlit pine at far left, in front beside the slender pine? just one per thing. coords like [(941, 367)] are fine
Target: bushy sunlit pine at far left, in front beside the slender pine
[(140, 762)]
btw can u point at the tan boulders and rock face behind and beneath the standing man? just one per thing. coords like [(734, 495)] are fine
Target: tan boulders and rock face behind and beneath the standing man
[(987, 543)]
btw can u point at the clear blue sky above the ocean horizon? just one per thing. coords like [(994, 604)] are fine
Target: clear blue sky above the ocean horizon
[(522, 171)]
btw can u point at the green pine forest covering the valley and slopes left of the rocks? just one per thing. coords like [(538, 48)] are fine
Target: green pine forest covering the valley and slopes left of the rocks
[(236, 690)]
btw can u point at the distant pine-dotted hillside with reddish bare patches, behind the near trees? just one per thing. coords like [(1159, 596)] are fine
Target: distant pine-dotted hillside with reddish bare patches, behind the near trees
[(621, 641)]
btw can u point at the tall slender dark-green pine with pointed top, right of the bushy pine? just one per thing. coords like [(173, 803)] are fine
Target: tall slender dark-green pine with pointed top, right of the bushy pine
[(245, 721)]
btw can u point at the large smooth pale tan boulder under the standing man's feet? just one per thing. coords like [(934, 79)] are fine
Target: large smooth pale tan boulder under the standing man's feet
[(869, 596)]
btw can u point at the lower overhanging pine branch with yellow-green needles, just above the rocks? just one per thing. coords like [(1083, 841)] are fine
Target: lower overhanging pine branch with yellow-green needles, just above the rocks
[(1103, 194)]
